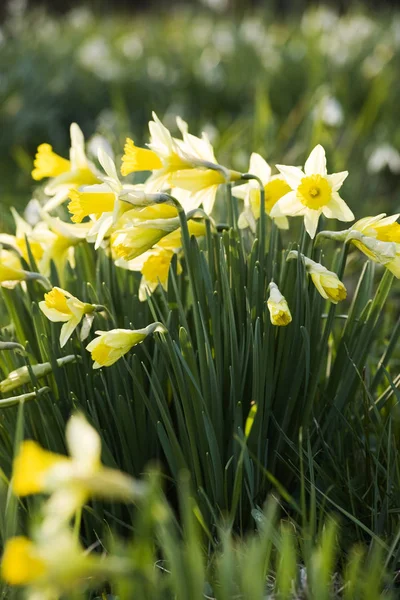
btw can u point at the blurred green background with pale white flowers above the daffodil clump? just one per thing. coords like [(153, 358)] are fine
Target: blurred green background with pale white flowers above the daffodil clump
[(274, 76)]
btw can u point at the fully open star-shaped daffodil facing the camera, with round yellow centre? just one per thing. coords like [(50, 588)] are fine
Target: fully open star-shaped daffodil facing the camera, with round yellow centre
[(313, 192)]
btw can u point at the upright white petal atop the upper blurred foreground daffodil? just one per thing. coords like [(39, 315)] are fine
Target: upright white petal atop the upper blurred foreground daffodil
[(83, 443)]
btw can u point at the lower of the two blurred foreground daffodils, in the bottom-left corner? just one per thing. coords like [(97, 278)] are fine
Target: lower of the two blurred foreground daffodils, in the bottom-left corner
[(50, 566)]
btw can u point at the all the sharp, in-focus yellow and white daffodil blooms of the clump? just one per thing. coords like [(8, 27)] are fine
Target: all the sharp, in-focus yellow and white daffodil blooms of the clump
[(142, 226)]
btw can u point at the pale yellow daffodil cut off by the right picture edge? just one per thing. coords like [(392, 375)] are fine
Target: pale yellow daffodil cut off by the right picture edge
[(377, 237)]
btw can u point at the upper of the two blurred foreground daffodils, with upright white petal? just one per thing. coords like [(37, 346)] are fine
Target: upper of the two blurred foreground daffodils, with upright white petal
[(72, 480)]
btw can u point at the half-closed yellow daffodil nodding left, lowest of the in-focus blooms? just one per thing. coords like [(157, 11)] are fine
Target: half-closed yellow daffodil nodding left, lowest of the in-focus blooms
[(110, 346)]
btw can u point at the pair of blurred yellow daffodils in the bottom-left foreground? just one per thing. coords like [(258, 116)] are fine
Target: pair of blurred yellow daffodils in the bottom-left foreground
[(53, 561)]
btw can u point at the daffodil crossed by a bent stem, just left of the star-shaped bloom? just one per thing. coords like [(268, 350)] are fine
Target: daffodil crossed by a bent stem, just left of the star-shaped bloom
[(274, 188)]
